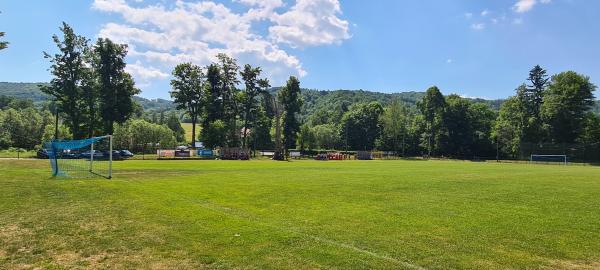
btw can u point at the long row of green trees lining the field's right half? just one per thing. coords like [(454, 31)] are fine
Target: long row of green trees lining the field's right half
[(554, 110)]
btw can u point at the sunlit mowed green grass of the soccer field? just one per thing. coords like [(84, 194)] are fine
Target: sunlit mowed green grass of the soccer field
[(302, 215)]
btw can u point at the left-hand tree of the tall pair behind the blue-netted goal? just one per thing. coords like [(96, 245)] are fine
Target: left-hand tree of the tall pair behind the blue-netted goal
[(69, 70)]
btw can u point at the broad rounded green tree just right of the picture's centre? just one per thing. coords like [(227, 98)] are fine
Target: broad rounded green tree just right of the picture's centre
[(361, 125)]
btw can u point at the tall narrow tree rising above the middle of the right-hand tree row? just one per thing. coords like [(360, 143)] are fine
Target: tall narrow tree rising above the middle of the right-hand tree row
[(432, 106)]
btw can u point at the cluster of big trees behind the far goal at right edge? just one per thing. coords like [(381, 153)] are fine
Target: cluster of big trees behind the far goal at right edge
[(556, 110)]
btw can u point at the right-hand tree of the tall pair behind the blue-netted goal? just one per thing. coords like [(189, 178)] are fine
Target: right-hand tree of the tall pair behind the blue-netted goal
[(116, 87)]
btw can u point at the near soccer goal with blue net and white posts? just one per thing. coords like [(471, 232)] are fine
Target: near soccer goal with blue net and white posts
[(81, 158)]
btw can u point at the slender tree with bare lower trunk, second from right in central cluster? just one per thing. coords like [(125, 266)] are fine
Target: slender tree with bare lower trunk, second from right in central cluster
[(254, 87)]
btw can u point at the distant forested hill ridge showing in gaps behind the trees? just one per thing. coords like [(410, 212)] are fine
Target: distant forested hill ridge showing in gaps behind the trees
[(314, 100)]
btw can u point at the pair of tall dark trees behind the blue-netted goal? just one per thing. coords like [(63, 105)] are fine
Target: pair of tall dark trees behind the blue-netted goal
[(90, 86)]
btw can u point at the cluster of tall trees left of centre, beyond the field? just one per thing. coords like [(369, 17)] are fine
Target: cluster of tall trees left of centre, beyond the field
[(233, 117)]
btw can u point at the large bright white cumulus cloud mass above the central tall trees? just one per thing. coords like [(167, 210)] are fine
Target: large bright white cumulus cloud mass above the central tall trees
[(164, 34)]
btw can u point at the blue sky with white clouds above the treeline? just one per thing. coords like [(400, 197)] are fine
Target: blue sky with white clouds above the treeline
[(473, 48)]
